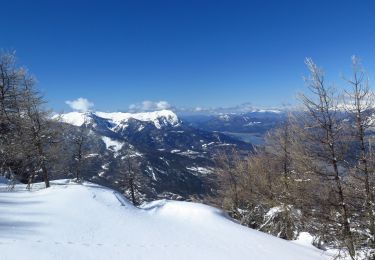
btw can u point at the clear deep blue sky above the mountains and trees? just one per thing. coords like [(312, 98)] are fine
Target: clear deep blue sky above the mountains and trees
[(188, 53)]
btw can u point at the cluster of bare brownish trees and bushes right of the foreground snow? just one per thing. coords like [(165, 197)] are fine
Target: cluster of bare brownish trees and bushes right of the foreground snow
[(315, 173)]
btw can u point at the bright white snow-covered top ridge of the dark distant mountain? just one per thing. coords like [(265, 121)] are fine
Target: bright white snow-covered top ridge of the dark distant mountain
[(158, 118)]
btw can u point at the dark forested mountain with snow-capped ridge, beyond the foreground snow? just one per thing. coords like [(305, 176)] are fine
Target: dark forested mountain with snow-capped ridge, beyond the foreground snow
[(175, 158)]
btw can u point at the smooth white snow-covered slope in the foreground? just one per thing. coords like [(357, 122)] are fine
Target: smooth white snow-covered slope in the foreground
[(70, 221)]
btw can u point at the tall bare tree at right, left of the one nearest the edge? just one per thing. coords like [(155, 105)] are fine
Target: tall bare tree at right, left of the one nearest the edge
[(325, 131)]
